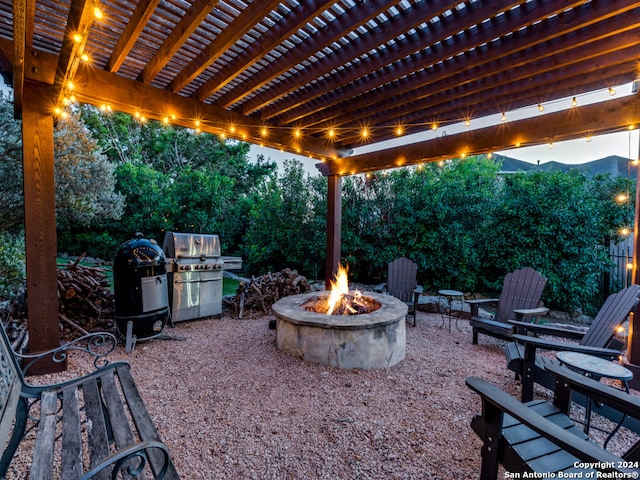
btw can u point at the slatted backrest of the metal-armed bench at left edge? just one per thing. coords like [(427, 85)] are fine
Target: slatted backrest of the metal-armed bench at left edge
[(10, 386)]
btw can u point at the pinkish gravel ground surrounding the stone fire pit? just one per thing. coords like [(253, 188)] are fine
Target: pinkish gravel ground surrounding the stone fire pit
[(231, 406)]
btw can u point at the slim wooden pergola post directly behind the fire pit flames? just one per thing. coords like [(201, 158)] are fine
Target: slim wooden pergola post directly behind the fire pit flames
[(334, 227)]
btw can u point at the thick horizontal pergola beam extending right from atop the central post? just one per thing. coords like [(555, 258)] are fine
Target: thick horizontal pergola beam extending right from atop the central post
[(596, 119)]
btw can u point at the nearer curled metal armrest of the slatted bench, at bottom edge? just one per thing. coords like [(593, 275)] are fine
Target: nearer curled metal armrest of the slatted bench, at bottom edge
[(133, 460)]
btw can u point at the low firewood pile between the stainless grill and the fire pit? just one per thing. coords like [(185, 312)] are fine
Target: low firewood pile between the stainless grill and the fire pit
[(259, 293)]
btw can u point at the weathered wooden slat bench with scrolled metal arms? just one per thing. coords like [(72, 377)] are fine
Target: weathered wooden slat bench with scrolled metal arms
[(93, 426)]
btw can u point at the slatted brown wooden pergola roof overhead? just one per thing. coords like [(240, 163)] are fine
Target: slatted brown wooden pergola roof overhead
[(344, 63)]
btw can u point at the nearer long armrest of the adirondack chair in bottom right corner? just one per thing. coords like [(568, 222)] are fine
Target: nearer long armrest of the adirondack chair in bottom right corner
[(584, 450)]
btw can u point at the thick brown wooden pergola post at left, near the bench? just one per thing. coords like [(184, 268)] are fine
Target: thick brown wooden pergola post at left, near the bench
[(40, 223)]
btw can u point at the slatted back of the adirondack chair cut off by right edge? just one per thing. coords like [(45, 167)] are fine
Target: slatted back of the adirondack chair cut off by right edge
[(614, 312)]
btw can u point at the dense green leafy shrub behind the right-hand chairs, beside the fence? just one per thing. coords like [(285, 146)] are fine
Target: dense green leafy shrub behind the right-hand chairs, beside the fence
[(556, 223)]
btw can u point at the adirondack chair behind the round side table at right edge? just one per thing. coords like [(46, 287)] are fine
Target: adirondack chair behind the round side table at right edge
[(522, 357)]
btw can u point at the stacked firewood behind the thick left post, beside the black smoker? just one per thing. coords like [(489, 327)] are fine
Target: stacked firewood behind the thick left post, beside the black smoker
[(85, 304)]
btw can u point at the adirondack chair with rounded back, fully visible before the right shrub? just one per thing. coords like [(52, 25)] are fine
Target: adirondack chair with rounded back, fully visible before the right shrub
[(519, 300)]
